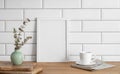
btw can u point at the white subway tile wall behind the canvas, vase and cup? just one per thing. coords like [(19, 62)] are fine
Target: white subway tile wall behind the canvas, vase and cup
[(94, 25)]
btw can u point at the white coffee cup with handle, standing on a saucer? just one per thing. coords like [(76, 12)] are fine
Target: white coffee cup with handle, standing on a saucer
[(86, 58)]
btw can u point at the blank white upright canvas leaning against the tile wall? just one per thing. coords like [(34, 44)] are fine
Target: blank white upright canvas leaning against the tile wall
[(51, 40)]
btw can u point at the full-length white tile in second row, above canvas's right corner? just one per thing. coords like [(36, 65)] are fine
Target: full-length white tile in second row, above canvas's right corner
[(82, 14)]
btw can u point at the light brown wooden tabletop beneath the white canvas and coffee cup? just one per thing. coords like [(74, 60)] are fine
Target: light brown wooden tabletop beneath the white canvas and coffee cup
[(65, 68)]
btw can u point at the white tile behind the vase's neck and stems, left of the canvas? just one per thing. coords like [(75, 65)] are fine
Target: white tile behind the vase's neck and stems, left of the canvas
[(27, 49)]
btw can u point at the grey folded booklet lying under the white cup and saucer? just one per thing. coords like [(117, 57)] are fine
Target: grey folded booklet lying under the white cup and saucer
[(97, 66)]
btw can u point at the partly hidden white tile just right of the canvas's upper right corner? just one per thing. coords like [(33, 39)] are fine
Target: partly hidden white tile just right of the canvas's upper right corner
[(74, 25)]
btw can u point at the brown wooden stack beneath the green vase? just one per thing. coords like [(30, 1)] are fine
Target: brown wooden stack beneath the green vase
[(25, 68)]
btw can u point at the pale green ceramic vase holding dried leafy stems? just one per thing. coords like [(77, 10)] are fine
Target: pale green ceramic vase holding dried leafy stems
[(17, 57)]
